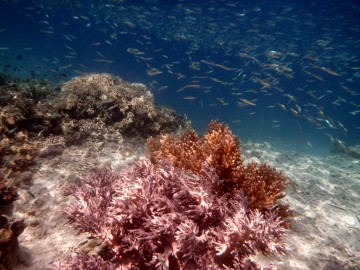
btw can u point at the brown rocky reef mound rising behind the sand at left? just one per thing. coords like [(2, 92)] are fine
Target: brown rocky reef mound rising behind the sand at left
[(90, 107)]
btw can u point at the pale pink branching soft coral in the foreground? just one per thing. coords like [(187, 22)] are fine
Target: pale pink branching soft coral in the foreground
[(159, 217)]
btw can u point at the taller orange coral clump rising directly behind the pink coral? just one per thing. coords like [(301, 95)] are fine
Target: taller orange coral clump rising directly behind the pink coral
[(219, 147)]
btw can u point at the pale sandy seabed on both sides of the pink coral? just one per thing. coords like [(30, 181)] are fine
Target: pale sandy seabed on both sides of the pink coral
[(323, 191)]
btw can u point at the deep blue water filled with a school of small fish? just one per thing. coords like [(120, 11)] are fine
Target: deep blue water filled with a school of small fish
[(236, 61)]
